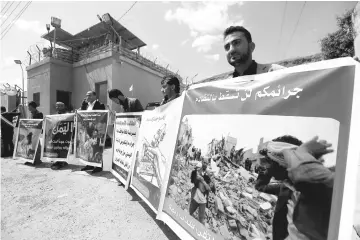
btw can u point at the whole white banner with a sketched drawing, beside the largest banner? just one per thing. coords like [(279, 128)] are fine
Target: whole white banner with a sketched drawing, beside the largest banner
[(155, 147)]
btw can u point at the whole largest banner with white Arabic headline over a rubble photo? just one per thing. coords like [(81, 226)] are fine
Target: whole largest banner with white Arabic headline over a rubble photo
[(237, 136)]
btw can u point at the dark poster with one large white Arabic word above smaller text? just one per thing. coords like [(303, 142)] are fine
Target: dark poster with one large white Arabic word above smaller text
[(58, 131)]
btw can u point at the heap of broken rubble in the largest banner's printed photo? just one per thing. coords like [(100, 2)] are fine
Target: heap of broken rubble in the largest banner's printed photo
[(236, 210)]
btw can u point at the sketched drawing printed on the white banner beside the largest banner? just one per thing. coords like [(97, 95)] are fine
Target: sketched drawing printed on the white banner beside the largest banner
[(150, 164)]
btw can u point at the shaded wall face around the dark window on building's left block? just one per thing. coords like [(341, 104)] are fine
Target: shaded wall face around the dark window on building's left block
[(61, 78)]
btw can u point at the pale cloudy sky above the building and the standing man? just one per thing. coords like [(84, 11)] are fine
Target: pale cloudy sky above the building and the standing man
[(185, 35)]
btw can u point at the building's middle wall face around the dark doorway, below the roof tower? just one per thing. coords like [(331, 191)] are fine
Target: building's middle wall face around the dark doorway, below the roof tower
[(85, 77)]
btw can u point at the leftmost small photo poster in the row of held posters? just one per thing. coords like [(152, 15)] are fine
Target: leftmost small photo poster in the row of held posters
[(27, 139)]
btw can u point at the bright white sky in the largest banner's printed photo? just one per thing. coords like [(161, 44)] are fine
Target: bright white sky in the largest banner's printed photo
[(268, 127)]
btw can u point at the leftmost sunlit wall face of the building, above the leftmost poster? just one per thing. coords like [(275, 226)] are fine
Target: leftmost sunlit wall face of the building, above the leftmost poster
[(38, 80)]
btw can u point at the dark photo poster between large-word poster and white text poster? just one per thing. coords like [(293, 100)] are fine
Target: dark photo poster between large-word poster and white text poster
[(90, 135)]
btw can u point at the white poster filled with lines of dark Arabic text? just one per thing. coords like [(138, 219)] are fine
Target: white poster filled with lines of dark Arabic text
[(126, 131)]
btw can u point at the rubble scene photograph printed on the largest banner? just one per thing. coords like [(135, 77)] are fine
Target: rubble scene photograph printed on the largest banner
[(229, 174)]
